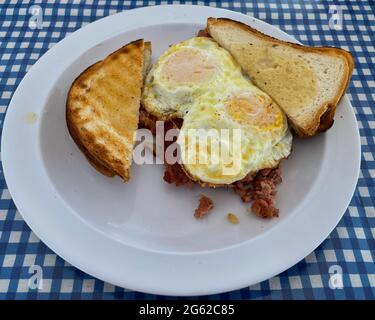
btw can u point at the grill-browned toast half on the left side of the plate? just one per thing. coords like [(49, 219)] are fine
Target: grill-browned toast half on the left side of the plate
[(102, 109)]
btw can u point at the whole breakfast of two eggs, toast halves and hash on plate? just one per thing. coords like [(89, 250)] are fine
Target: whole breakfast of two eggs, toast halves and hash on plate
[(244, 92)]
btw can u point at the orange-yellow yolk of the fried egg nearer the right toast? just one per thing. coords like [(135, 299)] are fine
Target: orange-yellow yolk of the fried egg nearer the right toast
[(254, 110)]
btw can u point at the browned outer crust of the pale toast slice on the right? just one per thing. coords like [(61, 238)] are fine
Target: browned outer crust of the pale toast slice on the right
[(325, 117)]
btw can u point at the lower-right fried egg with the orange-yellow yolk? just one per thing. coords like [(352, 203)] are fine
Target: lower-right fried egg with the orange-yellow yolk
[(224, 142)]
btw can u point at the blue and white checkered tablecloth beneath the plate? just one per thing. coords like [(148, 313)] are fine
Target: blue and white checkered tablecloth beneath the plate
[(350, 247)]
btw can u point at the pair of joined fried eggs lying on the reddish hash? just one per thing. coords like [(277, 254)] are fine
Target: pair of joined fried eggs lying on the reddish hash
[(230, 127)]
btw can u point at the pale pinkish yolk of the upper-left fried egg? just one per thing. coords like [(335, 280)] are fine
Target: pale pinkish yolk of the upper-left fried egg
[(187, 66)]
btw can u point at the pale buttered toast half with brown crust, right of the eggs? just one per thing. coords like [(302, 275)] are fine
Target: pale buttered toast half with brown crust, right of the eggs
[(307, 82)]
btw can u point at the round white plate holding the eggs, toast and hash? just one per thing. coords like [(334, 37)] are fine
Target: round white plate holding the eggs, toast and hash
[(142, 235)]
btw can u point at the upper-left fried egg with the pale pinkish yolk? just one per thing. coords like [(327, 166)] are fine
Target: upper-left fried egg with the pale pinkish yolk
[(185, 72)]
